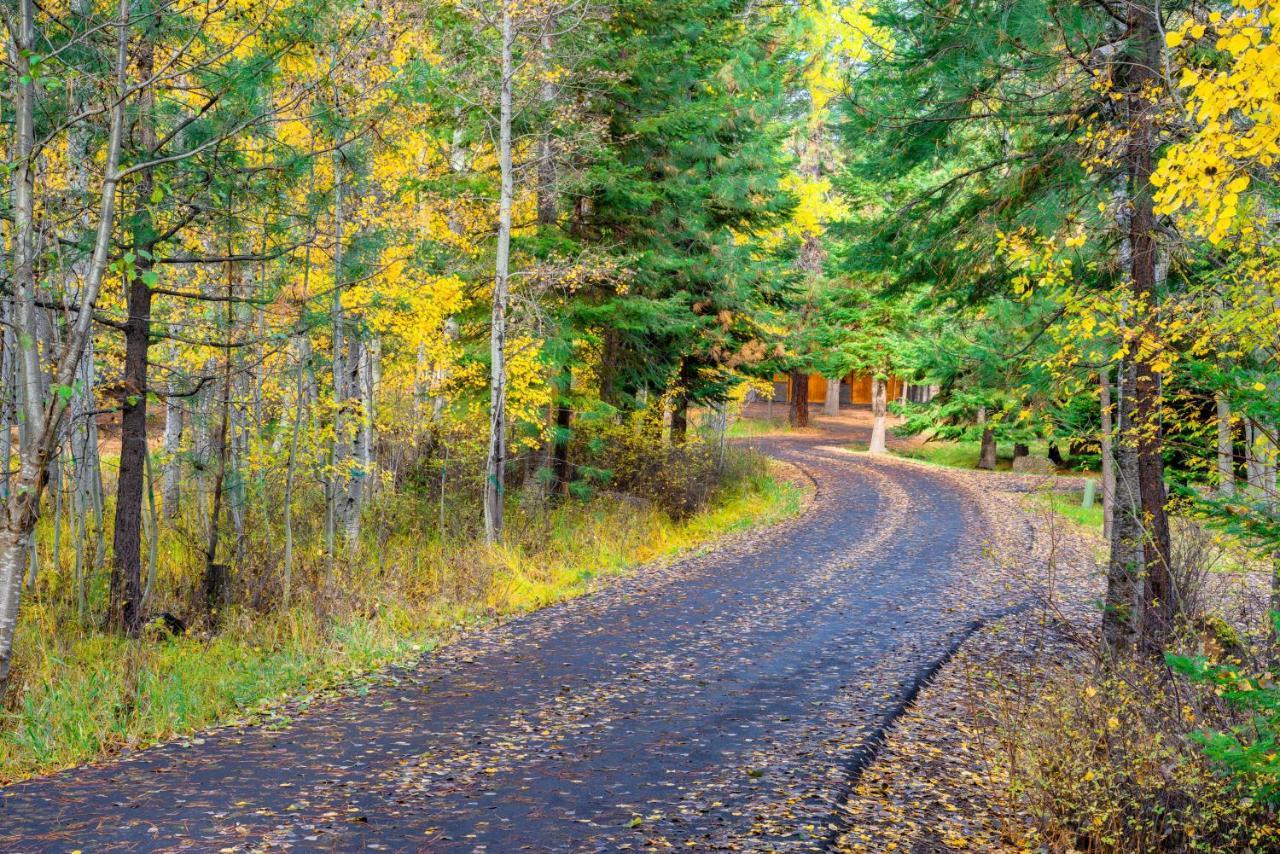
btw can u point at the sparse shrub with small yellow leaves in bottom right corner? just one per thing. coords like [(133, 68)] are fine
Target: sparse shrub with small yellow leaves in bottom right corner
[(1107, 761)]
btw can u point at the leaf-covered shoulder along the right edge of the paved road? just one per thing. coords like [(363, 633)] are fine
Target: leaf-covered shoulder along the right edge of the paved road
[(934, 786)]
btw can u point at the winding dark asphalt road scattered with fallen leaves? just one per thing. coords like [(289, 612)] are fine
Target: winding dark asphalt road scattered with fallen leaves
[(714, 704)]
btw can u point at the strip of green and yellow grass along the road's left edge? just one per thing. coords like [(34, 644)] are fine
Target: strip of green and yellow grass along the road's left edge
[(83, 695)]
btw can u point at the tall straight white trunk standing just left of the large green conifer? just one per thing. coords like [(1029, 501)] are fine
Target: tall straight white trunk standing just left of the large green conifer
[(496, 463)]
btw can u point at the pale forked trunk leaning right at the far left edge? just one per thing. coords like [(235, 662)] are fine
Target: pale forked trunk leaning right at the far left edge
[(24, 506)]
